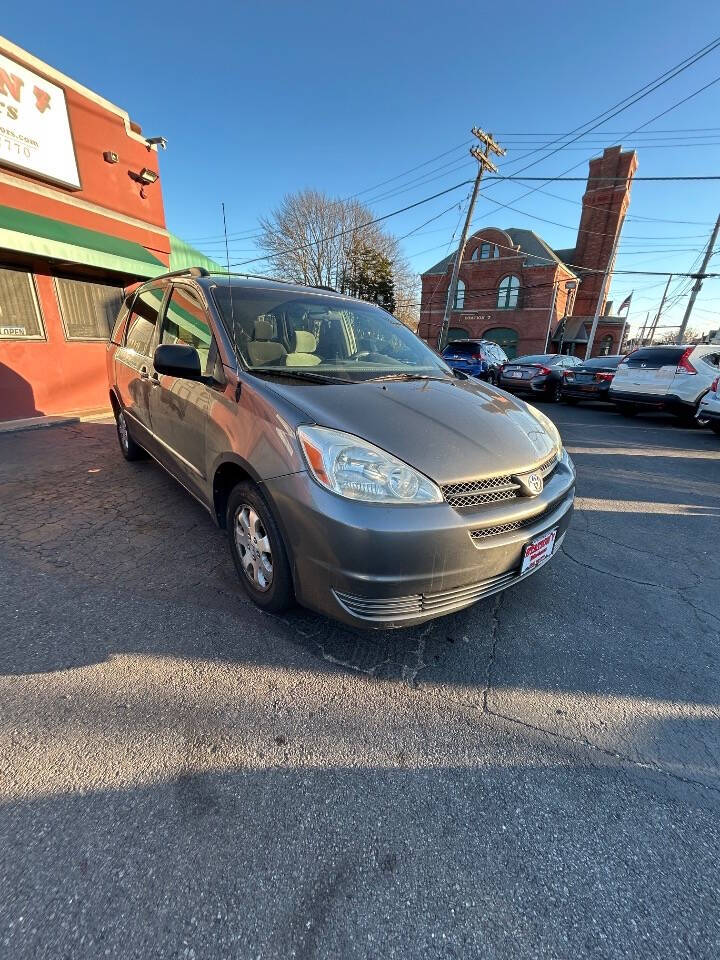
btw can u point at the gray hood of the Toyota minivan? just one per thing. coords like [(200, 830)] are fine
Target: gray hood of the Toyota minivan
[(450, 431)]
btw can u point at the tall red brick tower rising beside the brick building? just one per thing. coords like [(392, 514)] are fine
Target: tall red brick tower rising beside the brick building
[(605, 204)]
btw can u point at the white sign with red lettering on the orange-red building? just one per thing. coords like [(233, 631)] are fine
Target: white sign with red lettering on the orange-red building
[(35, 132)]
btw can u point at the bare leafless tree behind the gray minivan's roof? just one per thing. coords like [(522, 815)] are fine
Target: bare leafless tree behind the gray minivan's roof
[(315, 239)]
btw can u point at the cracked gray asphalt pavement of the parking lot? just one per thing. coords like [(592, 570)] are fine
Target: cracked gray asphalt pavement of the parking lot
[(182, 776)]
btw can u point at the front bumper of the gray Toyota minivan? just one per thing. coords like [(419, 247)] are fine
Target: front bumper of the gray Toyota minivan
[(377, 566)]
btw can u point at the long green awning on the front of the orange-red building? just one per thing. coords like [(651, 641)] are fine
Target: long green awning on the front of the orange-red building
[(30, 233)]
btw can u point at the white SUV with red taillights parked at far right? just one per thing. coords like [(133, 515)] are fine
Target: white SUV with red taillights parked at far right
[(668, 377)]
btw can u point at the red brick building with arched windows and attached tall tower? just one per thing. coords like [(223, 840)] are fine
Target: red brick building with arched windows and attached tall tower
[(516, 290)]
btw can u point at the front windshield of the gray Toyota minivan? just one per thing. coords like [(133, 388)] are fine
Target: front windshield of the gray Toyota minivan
[(293, 332)]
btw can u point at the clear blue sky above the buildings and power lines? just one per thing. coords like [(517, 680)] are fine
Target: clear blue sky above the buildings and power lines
[(261, 99)]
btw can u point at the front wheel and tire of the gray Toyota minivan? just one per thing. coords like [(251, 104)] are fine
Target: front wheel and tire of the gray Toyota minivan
[(258, 550)]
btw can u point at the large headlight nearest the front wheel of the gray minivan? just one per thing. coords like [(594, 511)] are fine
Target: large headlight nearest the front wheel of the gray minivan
[(356, 469)]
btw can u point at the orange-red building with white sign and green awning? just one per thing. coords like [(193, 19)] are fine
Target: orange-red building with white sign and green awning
[(81, 218)]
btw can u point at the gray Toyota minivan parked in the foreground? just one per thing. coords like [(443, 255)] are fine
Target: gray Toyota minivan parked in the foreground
[(374, 486)]
